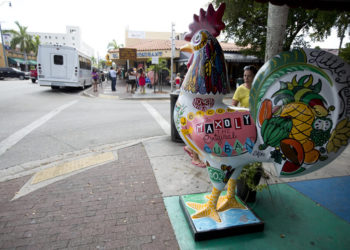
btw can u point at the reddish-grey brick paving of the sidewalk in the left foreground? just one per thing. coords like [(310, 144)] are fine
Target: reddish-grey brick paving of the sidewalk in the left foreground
[(114, 206)]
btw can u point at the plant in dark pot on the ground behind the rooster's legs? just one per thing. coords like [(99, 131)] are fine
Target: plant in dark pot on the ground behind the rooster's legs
[(248, 181)]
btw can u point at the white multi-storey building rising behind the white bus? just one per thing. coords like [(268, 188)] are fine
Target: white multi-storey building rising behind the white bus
[(71, 38)]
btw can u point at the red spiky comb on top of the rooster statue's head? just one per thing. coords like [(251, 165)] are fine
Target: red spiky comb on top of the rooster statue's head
[(209, 20)]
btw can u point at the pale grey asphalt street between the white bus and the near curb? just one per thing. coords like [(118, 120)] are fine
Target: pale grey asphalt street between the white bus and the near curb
[(66, 121)]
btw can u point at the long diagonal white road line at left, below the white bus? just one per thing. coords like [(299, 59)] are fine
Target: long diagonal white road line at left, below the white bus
[(20, 134)]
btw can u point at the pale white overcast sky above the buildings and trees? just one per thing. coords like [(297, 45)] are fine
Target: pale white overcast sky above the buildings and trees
[(104, 20)]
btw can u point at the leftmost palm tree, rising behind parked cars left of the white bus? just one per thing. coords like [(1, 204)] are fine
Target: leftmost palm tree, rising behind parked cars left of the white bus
[(23, 39)]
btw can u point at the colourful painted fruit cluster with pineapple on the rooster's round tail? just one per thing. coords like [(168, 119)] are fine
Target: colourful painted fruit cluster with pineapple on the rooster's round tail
[(298, 119)]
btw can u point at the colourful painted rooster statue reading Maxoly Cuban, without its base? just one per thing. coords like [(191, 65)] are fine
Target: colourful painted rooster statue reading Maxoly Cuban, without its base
[(298, 116)]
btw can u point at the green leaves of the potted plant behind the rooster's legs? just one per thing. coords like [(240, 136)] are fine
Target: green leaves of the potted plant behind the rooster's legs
[(248, 175)]
